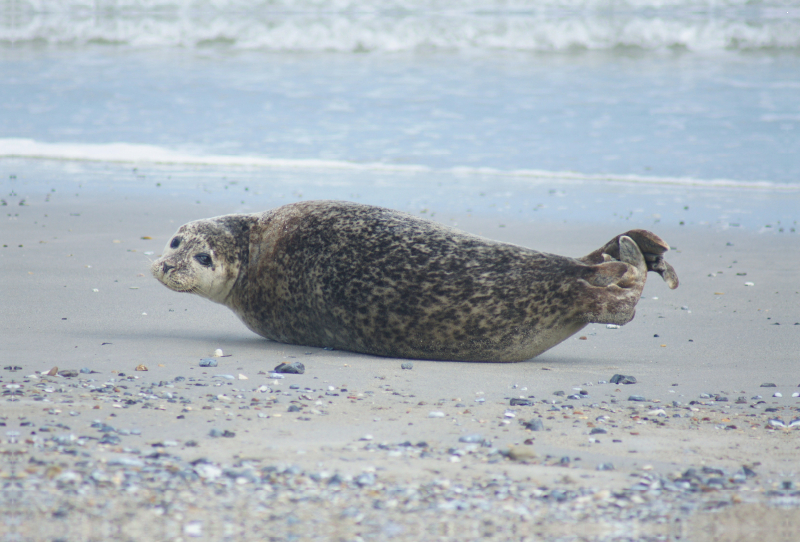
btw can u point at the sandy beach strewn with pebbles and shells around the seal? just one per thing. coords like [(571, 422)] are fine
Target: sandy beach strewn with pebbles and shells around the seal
[(357, 448)]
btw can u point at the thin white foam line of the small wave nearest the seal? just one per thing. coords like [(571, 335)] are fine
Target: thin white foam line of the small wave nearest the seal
[(150, 154)]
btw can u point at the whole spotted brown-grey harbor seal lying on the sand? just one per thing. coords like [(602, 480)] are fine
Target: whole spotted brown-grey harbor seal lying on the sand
[(368, 279)]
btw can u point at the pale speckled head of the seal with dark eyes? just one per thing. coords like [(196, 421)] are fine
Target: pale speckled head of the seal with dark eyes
[(204, 257)]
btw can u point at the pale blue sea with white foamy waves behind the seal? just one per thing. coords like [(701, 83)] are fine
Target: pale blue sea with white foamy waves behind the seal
[(673, 111)]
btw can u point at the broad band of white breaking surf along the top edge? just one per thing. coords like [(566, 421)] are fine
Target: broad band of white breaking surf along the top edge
[(406, 25)]
